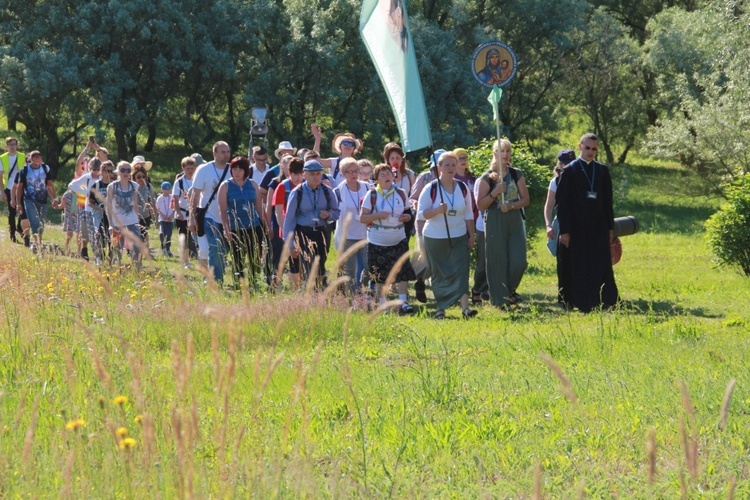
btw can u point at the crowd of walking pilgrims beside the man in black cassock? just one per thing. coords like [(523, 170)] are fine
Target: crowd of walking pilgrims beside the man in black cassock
[(275, 225)]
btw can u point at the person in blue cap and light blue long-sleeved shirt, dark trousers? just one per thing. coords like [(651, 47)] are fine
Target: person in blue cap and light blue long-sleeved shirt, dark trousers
[(312, 206)]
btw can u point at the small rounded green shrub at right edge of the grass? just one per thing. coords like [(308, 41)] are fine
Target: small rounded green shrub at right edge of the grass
[(728, 230)]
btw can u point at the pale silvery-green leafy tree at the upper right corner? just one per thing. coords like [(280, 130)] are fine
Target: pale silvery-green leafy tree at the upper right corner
[(703, 58)]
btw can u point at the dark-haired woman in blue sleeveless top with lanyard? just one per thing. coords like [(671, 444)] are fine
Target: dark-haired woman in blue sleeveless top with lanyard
[(242, 218)]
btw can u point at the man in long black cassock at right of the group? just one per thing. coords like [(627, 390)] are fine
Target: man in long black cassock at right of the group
[(586, 217)]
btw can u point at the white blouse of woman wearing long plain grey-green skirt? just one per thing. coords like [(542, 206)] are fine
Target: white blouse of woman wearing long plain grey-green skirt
[(459, 211)]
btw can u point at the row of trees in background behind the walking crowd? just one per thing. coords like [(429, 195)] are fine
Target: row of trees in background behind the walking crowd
[(670, 75)]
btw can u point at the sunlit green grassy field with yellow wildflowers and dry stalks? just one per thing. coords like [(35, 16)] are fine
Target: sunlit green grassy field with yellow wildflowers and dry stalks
[(122, 385)]
